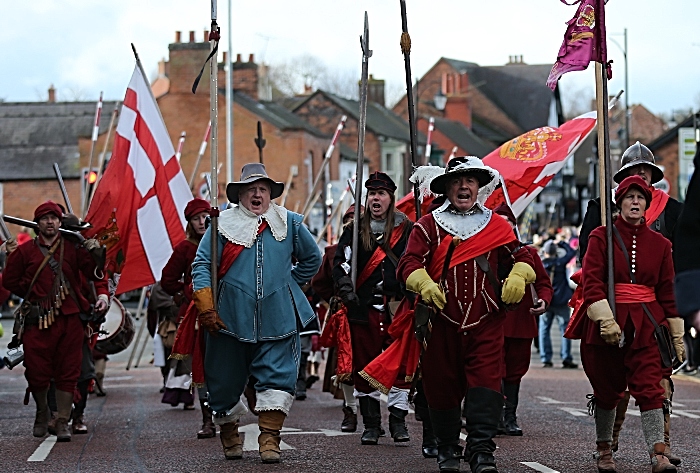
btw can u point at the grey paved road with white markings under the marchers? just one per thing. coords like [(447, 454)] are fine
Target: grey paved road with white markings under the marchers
[(132, 431)]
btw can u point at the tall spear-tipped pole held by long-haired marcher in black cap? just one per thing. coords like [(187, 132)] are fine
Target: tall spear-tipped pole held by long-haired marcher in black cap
[(366, 54)]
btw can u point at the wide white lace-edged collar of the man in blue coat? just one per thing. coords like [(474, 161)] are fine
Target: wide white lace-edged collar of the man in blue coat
[(239, 225)]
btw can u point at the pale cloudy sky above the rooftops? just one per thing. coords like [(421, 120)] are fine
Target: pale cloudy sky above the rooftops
[(82, 46)]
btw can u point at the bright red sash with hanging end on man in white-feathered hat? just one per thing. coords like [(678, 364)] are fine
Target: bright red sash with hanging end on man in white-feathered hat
[(404, 351)]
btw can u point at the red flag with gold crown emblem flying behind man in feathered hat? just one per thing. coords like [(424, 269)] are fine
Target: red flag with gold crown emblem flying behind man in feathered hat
[(528, 162)]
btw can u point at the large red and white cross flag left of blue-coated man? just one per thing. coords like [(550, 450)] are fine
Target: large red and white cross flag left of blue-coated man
[(137, 210)]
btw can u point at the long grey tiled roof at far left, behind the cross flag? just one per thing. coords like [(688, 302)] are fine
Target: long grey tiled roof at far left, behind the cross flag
[(34, 135)]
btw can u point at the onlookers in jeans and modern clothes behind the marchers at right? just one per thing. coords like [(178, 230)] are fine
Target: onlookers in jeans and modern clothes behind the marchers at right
[(558, 248)]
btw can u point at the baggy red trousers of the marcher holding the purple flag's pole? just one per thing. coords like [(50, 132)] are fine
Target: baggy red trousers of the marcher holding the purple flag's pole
[(611, 370)]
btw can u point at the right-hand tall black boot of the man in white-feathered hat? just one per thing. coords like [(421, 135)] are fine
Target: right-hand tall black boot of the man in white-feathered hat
[(483, 411)]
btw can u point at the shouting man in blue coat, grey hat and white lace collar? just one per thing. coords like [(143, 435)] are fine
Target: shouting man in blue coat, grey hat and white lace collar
[(260, 307)]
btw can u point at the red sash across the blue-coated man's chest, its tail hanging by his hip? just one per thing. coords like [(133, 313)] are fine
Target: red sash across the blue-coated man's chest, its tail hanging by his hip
[(188, 340)]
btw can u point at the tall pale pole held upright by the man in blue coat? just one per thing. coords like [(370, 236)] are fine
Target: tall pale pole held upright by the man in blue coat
[(214, 35)]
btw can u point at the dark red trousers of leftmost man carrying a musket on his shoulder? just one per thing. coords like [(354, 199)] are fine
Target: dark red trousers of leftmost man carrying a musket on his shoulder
[(54, 353)]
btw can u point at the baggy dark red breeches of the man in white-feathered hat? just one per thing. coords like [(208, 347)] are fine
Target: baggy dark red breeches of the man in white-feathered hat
[(456, 361)]
